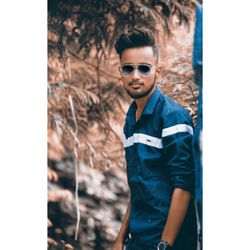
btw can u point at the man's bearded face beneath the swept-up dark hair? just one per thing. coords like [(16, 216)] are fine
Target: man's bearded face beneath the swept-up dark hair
[(137, 84)]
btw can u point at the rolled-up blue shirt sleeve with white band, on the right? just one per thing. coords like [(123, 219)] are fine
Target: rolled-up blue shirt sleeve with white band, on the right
[(177, 136)]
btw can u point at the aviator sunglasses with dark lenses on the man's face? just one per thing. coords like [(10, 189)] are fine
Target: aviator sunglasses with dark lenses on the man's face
[(143, 69)]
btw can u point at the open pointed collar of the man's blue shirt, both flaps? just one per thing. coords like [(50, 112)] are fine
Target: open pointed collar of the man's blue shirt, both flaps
[(150, 105)]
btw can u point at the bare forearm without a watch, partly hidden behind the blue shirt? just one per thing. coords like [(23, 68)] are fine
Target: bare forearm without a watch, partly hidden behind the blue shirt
[(119, 242)]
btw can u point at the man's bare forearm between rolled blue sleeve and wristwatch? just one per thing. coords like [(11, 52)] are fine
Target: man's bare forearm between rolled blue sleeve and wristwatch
[(178, 208)]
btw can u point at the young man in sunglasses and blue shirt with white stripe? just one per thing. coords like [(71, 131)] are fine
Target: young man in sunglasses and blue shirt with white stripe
[(158, 149)]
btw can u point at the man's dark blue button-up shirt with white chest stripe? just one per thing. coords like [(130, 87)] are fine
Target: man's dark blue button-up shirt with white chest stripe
[(158, 151)]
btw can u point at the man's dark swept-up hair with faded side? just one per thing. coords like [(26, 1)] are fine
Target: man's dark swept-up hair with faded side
[(135, 38)]
